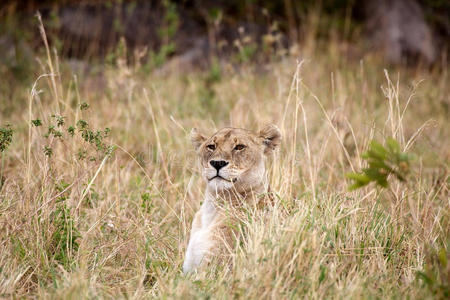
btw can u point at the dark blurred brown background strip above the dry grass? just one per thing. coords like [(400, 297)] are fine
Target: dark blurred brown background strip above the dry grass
[(404, 31)]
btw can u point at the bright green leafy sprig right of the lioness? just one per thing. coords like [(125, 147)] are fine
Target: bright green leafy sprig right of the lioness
[(383, 161)]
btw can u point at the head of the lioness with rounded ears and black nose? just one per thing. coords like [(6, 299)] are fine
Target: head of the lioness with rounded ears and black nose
[(233, 158)]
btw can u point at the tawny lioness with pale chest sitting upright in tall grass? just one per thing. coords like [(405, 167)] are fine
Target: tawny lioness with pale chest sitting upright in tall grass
[(232, 164)]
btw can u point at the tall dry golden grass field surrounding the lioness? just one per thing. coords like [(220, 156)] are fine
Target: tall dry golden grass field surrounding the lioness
[(78, 222)]
